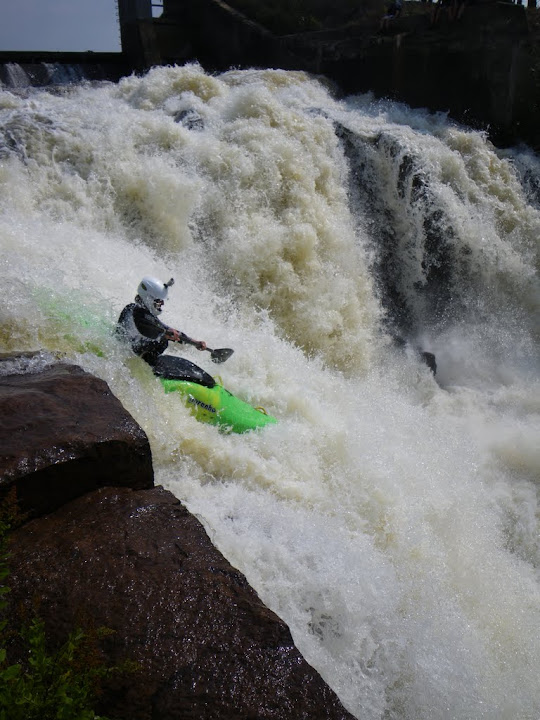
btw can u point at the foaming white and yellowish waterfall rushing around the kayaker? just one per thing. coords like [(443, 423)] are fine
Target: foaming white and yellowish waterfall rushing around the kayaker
[(391, 517)]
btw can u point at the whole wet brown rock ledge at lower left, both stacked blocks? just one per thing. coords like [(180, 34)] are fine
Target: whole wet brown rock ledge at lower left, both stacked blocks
[(104, 547)]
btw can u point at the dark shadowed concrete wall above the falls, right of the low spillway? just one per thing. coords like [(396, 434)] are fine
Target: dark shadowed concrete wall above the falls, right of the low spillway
[(483, 70)]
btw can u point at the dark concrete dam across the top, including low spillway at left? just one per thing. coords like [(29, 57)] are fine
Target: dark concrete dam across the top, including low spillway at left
[(483, 70)]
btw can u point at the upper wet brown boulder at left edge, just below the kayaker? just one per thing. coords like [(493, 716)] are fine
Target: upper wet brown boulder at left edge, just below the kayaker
[(62, 434)]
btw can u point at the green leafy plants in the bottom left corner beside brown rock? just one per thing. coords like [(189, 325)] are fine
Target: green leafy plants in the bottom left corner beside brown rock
[(61, 684)]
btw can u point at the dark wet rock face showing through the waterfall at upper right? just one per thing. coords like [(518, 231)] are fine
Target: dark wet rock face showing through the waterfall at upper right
[(423, 249)]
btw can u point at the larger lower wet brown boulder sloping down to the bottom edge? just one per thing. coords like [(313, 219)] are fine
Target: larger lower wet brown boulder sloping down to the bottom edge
[(138, 563)]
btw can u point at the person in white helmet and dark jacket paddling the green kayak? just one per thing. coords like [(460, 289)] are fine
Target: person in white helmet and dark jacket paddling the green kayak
[(140, 326)]
